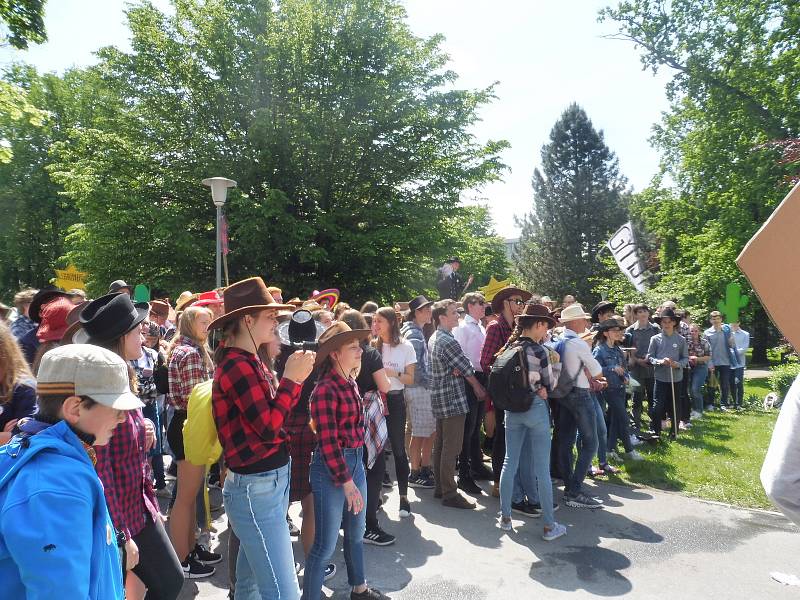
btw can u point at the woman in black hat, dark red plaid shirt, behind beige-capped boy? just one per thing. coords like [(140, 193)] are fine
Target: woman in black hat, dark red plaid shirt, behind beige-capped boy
[(114, 322)]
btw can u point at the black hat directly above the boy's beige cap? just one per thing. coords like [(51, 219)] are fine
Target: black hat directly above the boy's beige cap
[(109, 317)]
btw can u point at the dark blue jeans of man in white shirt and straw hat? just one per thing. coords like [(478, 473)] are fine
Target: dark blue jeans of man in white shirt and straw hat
[(577, 413)]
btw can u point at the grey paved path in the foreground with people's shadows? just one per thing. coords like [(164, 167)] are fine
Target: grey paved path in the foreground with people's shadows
[(645, 544)]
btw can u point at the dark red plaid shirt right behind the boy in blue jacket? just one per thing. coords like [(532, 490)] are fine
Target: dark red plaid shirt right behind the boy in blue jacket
[(125, 472)]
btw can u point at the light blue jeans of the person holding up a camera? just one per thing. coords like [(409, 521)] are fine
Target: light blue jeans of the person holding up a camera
[(256, 506)]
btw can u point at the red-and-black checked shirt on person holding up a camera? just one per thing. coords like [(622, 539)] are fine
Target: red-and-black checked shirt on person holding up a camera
[(249, 412)]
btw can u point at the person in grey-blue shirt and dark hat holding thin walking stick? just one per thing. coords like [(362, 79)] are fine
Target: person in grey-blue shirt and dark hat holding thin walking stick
[(670, 356)]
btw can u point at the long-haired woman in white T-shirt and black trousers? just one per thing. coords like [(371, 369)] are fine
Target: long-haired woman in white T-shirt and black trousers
[(399, 361)]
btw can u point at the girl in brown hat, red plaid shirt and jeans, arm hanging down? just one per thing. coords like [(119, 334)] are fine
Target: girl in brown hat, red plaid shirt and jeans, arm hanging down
[(338, 481)]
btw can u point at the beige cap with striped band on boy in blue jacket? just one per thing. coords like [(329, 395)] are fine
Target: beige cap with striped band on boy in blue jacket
[(87, 370)]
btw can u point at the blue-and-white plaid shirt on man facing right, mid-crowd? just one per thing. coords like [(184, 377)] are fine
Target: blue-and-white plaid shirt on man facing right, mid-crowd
[(448, 394)]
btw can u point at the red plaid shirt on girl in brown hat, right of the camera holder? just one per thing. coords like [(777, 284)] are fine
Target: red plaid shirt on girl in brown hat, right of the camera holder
[(337, 411)]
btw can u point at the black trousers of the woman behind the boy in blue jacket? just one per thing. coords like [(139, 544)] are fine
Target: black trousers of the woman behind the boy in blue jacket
[(159, 567)]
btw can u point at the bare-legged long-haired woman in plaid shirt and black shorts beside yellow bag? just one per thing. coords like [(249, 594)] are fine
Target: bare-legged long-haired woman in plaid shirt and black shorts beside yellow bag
[(188, 363)]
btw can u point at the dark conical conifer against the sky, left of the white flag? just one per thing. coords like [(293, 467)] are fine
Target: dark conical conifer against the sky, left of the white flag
[(579, 200)]
